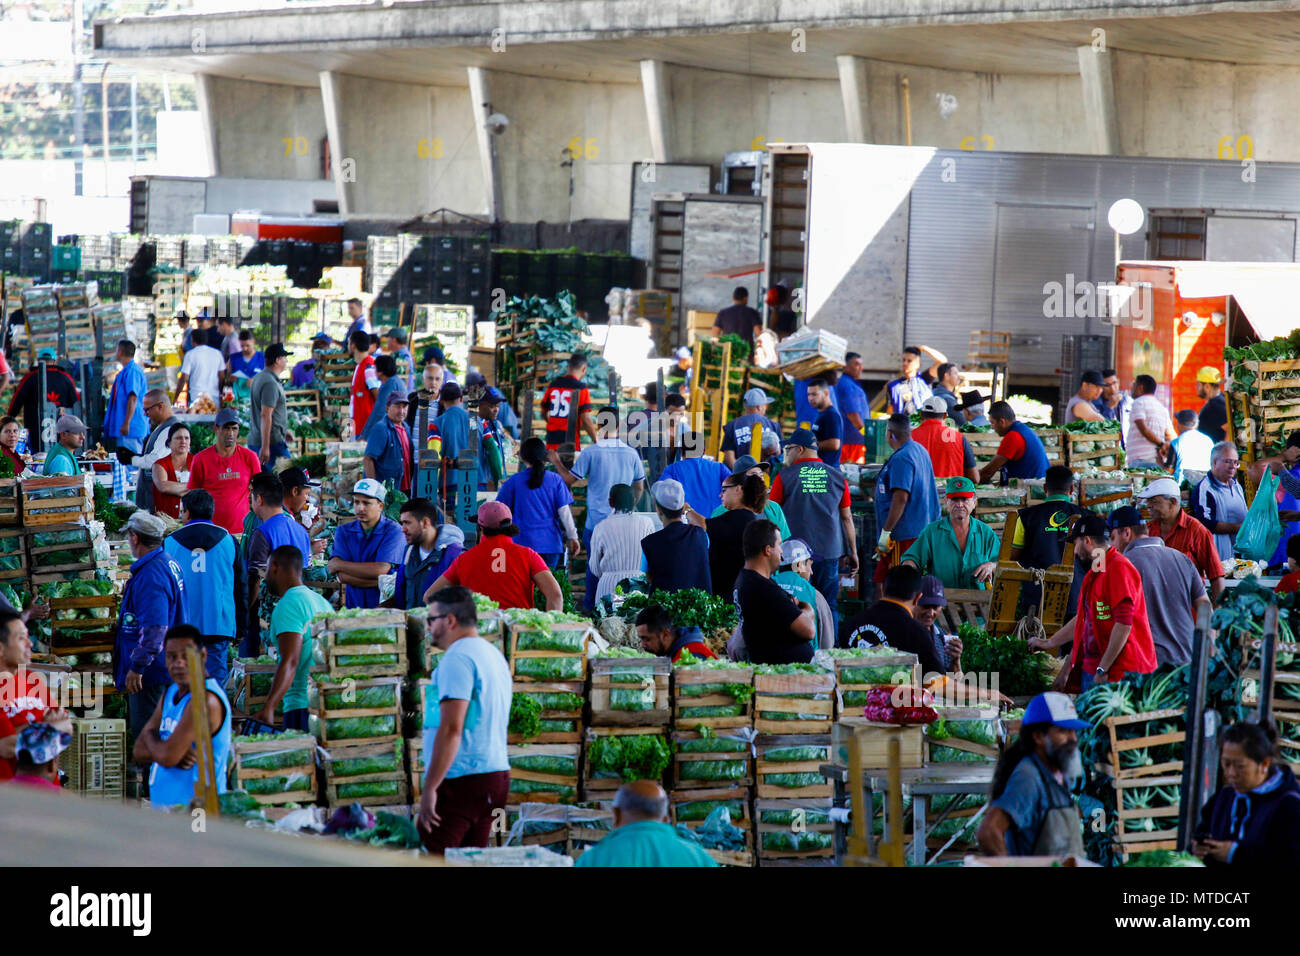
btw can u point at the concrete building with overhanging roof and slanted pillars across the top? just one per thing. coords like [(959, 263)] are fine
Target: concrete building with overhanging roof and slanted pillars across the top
[(401, 89)]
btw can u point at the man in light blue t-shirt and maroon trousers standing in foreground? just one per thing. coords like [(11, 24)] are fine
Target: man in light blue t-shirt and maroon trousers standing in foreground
[(466, 719)]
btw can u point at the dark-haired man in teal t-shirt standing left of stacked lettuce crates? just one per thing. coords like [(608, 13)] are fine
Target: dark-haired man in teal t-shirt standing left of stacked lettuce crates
[(292, 631)]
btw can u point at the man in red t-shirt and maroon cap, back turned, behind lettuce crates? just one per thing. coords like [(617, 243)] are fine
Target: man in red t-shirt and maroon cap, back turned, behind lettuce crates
[(500, 569)]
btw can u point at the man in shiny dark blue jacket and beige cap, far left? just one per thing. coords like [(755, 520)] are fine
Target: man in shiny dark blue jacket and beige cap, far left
[(153, 602)]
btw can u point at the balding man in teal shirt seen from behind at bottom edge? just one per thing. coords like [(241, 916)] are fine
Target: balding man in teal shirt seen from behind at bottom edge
[(642, 837)]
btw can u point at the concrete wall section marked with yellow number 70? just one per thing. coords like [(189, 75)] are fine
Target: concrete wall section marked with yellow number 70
[(250, 126)]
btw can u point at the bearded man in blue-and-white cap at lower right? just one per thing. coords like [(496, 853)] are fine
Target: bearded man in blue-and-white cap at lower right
[(1033, 812)]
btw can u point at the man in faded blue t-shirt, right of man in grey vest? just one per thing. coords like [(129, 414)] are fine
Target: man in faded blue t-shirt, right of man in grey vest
[(907, 496)]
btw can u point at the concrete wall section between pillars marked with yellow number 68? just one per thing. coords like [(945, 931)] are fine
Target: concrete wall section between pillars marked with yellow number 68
[(414, 146)]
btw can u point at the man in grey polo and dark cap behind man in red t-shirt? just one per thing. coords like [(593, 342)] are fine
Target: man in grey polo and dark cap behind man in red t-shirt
[(1169, 581)]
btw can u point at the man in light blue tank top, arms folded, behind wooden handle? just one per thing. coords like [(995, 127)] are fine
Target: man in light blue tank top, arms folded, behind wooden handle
[(167, 743)]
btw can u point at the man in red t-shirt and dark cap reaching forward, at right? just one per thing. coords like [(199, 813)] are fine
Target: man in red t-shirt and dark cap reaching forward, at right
[(1111, 631)]
